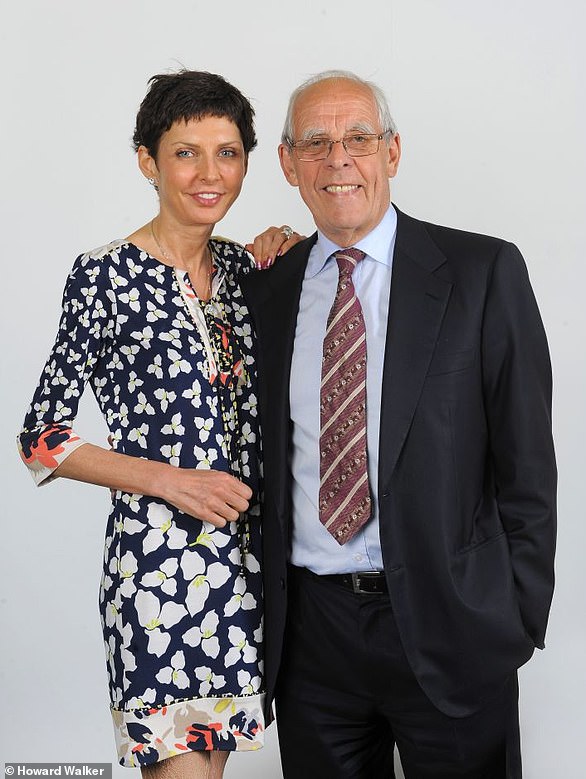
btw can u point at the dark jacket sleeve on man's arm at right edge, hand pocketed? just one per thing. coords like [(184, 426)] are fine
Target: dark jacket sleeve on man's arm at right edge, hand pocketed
[(517, 391)]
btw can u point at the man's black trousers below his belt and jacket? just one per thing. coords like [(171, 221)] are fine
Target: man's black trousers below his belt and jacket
[(346, 696)]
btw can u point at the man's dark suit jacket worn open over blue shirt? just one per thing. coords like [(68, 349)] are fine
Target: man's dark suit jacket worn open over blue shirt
[(467, 474)]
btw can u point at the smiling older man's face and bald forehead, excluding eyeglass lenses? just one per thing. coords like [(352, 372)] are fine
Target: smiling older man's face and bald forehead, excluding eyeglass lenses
[(348, 196)]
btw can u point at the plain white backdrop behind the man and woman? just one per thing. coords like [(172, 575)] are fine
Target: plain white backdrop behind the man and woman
[(488, 98)]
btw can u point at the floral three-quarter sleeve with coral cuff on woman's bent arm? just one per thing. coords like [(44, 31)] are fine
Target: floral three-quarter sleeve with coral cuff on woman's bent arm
[(85, 330)]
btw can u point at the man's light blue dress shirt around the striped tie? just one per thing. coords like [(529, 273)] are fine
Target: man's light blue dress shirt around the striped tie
[(312, 546)]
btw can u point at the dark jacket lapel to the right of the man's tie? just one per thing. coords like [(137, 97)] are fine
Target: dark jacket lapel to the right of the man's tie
[(420, 290)]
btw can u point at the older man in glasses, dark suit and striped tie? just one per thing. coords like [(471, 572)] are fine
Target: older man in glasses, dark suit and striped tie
[(410, 479)]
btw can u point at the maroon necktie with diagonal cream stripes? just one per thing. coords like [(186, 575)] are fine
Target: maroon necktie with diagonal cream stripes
[(344, 494)]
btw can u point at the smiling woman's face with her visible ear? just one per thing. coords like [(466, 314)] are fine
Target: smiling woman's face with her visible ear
[(200, 168)]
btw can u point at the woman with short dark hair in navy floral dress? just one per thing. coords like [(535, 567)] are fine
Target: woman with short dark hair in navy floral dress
[(157, 324)]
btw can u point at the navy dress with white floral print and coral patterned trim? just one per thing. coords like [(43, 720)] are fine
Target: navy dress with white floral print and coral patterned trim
[(180, 600)]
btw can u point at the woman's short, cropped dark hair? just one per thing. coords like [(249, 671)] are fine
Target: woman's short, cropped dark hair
[(190, 94)]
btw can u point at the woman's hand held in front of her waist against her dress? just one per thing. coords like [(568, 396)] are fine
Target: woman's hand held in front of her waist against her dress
[(213, 496)]
